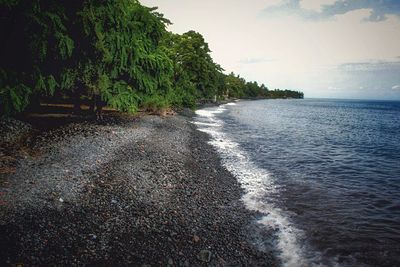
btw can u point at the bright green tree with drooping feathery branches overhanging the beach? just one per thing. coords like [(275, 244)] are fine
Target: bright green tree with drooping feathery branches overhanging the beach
[(125, 39)]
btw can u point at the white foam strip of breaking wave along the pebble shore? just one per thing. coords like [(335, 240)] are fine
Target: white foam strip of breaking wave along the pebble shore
[(258, 185)]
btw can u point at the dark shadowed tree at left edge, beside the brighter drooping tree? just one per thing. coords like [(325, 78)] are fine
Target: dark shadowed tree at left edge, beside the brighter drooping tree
[(34, 52)]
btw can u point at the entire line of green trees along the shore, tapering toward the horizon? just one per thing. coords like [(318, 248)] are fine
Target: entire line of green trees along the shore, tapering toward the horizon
[(114, 52)]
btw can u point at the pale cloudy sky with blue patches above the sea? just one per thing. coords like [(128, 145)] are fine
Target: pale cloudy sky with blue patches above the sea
[(325, 48)]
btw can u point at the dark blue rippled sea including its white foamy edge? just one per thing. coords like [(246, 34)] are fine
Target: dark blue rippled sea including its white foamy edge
[(325, 174)]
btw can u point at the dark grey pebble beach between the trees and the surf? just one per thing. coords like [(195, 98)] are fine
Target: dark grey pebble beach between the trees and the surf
[(146, 191)]
